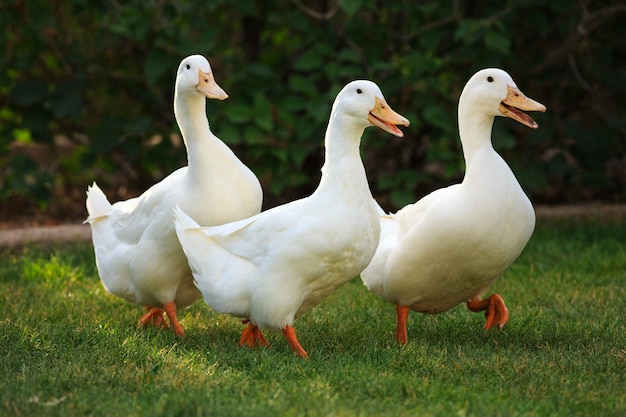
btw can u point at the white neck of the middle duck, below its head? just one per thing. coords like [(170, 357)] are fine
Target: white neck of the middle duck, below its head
[(342, 160)]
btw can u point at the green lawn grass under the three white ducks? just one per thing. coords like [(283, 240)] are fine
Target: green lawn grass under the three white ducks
[(69, 348)]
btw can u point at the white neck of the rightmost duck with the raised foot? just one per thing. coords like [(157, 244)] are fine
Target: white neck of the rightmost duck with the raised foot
[(475, 132)]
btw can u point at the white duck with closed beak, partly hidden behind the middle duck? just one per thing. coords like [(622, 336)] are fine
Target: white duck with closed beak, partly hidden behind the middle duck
[(138, 255)]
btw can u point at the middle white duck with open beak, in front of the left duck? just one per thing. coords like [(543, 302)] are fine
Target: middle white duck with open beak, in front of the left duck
[(273, 267)]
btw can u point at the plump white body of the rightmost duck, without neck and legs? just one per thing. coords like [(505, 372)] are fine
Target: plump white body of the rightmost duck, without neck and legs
[(457, 242)]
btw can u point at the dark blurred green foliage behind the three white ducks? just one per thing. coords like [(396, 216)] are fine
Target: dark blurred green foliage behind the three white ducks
[(99, 78)]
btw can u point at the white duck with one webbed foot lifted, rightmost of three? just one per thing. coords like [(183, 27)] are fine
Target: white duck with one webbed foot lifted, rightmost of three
[(451, 245)]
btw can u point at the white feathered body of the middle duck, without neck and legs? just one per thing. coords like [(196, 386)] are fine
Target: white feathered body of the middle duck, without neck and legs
[(284, 261)]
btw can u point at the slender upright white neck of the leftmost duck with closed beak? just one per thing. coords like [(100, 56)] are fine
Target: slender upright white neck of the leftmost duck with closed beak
[(192, 120)]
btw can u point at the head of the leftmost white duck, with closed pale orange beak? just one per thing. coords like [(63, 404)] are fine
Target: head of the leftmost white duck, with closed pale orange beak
[(195, 76)]
